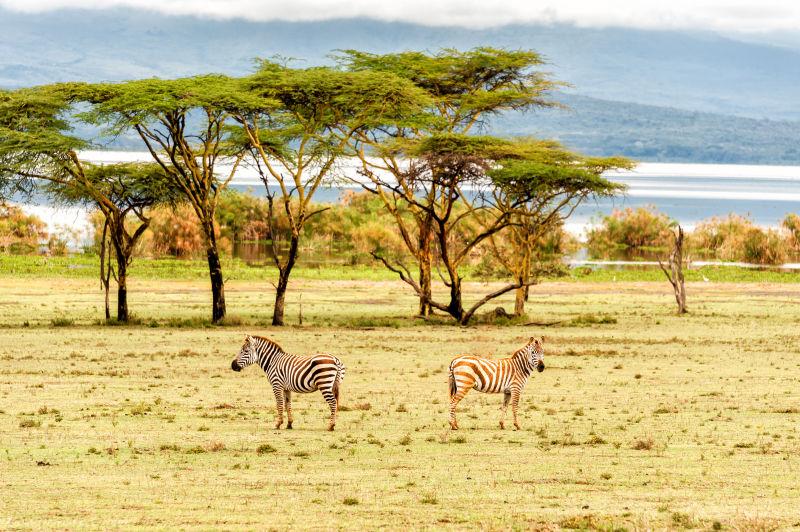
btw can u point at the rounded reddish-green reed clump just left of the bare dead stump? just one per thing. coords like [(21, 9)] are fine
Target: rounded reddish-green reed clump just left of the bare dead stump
[(644, 227)]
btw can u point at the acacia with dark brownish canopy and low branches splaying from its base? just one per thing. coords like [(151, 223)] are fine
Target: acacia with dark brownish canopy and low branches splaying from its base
[(474, 202)]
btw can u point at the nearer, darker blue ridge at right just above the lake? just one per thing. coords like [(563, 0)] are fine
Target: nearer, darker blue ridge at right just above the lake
[(650, 133)]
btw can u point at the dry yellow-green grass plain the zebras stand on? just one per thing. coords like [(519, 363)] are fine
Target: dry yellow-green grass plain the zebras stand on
[(642, 419)]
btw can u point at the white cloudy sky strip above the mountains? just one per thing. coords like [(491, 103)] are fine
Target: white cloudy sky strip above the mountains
[(726, 16)]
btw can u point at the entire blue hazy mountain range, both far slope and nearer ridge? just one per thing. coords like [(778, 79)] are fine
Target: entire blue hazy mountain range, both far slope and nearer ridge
[(657, 95)]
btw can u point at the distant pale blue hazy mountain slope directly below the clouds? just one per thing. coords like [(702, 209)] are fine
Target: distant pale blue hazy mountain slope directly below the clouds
[(685, 70)]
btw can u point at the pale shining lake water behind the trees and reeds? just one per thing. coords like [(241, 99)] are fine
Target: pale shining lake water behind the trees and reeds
[(688, 193)]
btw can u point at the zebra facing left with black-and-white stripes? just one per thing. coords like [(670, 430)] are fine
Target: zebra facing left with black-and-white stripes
[(289, 373)]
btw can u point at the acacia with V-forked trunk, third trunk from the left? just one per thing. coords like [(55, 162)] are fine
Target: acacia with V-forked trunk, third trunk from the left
[(302, 127)]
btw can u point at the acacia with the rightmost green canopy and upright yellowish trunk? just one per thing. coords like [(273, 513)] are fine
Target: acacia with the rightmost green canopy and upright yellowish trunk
[(552, 182)]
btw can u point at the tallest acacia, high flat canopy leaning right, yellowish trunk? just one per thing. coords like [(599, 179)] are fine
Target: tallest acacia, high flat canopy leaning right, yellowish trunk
[(466, 88)]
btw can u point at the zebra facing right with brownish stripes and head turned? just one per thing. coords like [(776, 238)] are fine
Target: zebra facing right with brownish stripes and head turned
[(507, 375)]
